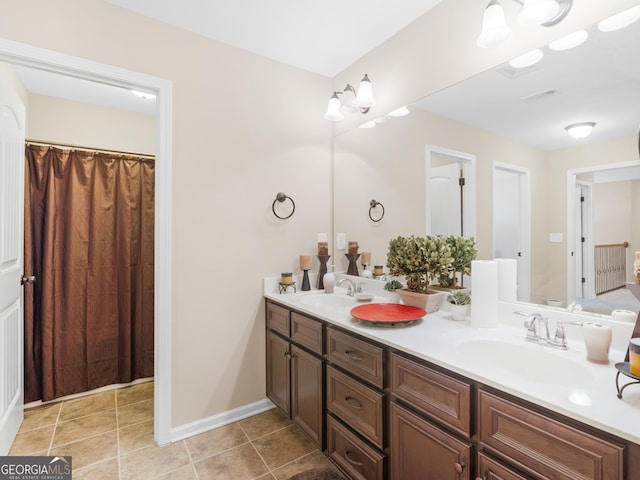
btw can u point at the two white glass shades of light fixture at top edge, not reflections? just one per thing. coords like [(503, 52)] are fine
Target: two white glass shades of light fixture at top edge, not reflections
[(495, 30)]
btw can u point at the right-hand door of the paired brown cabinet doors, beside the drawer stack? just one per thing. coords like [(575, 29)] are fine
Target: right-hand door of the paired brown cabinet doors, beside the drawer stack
[(306, 393)]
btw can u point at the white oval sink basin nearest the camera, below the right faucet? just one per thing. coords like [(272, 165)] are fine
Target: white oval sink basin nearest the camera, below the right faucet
[(529, 361)]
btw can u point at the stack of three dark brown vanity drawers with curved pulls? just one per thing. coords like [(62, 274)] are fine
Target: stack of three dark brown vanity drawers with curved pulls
[(356, 405)]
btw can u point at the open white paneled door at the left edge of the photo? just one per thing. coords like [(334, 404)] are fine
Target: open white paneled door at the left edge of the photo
[(11, 250)]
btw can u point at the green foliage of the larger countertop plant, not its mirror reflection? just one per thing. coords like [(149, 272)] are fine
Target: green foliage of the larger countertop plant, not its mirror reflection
[(421, 260)]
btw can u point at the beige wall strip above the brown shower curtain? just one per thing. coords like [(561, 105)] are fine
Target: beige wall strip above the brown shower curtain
[(62, 121)]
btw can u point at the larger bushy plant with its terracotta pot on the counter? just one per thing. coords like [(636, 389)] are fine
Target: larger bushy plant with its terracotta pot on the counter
[(421, 260)]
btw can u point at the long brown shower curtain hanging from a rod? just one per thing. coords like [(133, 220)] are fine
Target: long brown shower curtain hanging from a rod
[(89, 225)]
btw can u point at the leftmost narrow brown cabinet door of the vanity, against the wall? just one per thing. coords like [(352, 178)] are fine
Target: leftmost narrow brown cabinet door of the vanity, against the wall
[(278, 369)]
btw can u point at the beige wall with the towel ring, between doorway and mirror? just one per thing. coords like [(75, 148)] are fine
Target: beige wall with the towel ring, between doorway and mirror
[(244, 128)]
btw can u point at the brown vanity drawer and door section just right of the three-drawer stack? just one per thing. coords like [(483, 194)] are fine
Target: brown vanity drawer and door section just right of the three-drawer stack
[(430, 423)]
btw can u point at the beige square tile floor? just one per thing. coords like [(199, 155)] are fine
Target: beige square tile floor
[(110, 436)]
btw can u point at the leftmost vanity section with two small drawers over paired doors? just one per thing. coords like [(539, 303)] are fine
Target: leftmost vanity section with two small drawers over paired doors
[(295, 372)]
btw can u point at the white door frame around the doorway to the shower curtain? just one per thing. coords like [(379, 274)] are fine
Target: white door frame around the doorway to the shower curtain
[(25, 55)]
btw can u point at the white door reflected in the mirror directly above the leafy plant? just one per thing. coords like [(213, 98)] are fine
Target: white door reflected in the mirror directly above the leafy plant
[(444, 184)]
